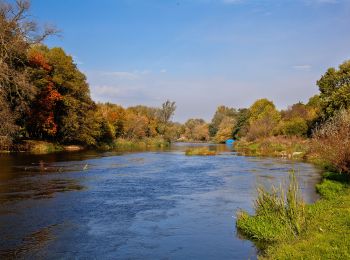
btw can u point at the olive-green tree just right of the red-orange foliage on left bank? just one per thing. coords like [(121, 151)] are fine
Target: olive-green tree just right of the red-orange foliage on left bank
[(76, 105)]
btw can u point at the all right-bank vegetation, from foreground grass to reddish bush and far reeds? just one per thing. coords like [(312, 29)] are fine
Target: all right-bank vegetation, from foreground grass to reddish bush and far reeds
[(283, 226)]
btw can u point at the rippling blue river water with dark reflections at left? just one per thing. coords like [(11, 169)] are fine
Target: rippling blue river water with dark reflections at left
[(133, 205)]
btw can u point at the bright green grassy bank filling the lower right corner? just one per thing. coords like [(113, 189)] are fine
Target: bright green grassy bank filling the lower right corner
[(323, 230)]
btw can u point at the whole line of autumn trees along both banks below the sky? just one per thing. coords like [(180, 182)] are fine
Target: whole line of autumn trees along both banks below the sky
[(44, 96)]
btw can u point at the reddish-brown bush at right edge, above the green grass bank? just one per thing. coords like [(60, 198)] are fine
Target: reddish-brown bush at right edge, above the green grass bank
[(331, 141)]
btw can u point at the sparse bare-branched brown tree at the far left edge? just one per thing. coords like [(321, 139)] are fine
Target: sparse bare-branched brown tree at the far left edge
[(17, 35)]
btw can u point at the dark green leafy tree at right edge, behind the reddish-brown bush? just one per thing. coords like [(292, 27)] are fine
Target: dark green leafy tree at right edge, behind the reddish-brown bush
[(334, 86)]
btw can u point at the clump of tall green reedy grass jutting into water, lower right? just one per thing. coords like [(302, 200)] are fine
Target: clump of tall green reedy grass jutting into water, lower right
[(279, 213)]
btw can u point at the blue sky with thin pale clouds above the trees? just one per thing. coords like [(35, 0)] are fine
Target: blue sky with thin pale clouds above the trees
[(200, 53)]
